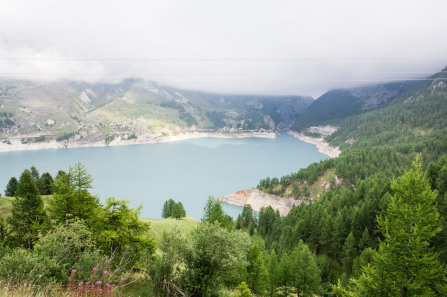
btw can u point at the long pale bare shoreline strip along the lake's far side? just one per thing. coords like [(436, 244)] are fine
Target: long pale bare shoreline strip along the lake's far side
[(16, 144)]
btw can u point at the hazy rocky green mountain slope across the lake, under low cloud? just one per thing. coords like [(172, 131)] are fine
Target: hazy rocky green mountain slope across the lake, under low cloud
[(67, 111)]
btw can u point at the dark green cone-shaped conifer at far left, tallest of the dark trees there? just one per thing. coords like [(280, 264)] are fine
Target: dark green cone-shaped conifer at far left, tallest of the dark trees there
[(28, 216)]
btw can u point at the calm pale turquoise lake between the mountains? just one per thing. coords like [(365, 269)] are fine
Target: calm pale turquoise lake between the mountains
[(188, 171)]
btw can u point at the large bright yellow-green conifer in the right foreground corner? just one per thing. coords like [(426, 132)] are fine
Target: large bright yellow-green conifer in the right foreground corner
[(405, 263)]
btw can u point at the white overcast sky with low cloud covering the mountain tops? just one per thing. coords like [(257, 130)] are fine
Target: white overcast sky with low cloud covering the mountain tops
[(302, 47)]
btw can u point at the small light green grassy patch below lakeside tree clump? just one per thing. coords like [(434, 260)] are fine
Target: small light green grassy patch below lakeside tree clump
[(158, 226)]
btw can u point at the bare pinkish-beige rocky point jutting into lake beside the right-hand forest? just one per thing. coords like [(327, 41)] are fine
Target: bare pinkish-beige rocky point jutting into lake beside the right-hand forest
[(258, 199)]
